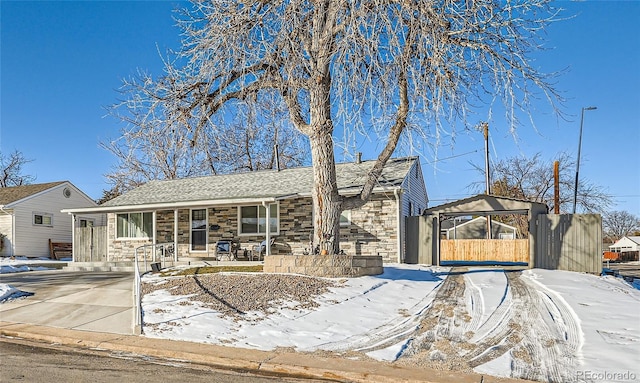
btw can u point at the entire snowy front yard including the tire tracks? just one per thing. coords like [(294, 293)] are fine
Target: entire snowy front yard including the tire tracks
[(539, 324)]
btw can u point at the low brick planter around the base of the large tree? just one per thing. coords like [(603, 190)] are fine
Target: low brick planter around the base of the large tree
[(330, 266)]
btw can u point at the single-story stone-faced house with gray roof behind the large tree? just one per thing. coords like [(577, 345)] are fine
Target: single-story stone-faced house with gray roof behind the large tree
[(195, 213)]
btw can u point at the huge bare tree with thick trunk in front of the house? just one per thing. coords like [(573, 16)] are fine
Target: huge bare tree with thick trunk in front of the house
[(380, 66)]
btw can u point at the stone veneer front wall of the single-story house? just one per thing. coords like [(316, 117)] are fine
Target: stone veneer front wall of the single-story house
[(372, 230)]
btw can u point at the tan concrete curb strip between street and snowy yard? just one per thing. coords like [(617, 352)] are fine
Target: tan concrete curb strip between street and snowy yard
[(237, 359)]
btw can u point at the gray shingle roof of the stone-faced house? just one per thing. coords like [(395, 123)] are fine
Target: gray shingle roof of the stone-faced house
[(260, 184)]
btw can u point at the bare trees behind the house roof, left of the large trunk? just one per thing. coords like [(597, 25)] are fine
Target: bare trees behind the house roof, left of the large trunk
[(149, 149)]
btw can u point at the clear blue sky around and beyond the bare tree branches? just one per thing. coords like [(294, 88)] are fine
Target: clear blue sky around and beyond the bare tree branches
[(62, 61)]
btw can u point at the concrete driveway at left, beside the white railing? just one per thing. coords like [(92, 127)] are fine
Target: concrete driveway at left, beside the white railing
[(90, 301)]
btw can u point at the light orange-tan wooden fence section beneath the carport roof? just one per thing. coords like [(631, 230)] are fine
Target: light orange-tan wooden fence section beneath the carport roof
[(485, 250)]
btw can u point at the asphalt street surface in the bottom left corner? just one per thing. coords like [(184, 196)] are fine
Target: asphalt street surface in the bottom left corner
[(24, 361)]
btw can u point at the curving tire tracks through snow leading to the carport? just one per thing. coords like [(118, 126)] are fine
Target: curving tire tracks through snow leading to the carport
[(532, 323)]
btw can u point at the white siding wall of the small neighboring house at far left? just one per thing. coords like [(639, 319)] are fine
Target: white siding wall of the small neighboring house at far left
[(33, 240)]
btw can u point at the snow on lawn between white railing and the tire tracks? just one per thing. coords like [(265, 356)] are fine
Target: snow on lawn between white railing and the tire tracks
[(363, 308)]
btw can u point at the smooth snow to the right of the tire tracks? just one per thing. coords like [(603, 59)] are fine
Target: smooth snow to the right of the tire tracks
[(608, 310)]
